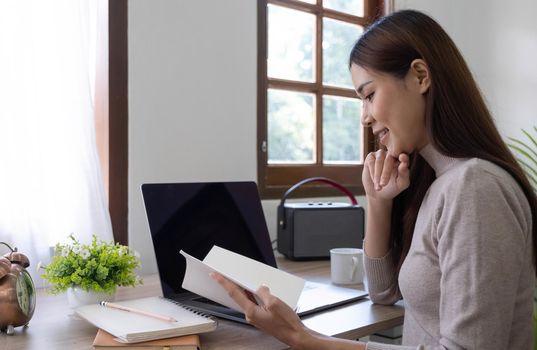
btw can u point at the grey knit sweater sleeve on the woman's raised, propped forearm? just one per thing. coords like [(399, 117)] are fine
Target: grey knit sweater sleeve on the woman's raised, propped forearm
[(382, 279)]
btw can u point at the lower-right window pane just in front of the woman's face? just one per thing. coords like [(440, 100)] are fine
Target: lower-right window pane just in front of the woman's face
[(342, 131)]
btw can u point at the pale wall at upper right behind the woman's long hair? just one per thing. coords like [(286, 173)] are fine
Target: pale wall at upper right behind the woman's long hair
[(499, 42)]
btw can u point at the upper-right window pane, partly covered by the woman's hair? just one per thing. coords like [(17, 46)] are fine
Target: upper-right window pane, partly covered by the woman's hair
[(338, 39)]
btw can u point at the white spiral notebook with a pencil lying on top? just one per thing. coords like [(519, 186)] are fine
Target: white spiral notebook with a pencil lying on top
[(130, 327)]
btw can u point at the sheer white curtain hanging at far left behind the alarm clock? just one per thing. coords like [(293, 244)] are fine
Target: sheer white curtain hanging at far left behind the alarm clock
[(50, 179)]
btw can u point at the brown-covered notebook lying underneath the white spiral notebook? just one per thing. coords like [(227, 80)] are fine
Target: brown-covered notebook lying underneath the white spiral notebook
[(105, 341)]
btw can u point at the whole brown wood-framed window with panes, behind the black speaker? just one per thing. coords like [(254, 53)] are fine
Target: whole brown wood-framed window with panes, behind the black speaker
[(308, 111)]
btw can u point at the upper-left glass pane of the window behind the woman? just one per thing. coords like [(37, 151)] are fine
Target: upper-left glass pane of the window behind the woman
[(290, 44)]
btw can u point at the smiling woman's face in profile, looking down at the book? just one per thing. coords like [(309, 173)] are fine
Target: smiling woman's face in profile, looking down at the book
[(394, 108)]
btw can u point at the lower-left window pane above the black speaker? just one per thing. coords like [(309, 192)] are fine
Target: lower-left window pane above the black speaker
[(291, 127)]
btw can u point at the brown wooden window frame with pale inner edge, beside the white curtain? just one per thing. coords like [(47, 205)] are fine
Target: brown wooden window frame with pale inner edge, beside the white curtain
[(111, 111)]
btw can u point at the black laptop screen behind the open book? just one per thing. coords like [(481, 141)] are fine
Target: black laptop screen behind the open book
[(195, 216)]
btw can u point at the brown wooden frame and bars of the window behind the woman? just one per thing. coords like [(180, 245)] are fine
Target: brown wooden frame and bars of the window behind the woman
[(275, 179)]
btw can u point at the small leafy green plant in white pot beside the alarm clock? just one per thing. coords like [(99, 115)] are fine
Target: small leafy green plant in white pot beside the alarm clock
[(91, 272)]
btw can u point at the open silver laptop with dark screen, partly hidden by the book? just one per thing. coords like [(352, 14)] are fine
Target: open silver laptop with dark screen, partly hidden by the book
[(195, 216)]
